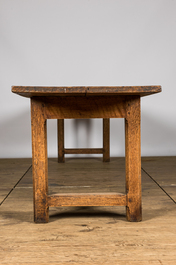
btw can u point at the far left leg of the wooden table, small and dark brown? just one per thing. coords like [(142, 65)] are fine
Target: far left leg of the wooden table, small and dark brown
[(60, 133)]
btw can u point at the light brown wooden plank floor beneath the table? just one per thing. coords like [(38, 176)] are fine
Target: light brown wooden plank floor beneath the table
[(88, 235)]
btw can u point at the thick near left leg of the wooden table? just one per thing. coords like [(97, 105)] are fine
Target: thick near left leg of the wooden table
[(39, 162)]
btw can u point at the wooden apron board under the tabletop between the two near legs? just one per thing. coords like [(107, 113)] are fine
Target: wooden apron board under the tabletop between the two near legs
[(84, 107)]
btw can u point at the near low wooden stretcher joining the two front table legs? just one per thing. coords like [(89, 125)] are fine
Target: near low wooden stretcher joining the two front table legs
[(87, 199)]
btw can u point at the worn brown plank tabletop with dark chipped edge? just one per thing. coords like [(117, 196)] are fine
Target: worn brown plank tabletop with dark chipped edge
[(32, 91)]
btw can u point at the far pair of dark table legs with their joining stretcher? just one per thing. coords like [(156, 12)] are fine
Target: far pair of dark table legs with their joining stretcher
[(105, 150)]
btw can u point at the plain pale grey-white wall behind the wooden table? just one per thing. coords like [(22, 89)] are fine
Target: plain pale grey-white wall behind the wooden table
[(88, 42)]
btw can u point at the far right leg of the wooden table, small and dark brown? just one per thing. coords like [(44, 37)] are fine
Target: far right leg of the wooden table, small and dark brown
[(106, 132)]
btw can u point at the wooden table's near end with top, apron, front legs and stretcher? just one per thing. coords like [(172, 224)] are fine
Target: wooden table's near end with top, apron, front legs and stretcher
[(84, 103)]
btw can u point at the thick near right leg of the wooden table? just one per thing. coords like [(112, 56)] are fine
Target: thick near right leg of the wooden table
[(133, 160)]
